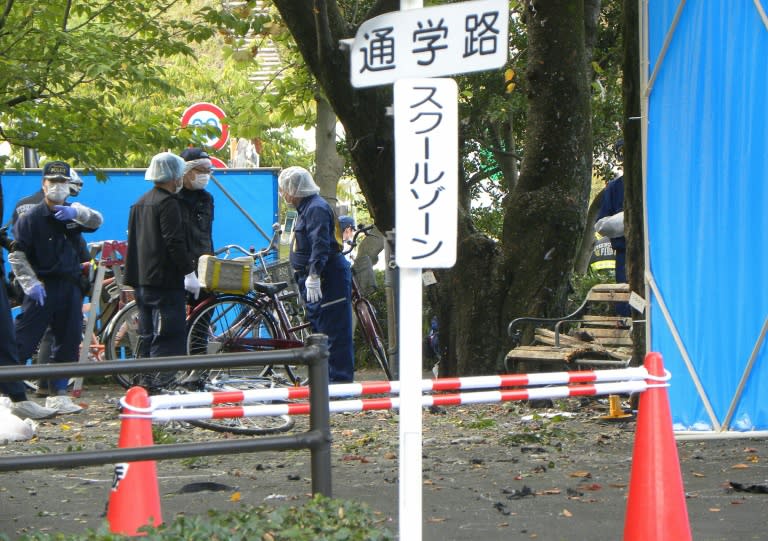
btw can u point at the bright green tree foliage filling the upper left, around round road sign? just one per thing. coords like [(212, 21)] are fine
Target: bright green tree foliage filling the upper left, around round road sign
[(103, 84)]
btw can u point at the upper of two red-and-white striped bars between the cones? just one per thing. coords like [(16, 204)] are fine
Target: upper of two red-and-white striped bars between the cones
[(393, 387)]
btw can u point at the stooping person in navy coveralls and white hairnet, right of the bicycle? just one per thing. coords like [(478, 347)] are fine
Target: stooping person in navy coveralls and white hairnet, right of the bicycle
[(323, 274)]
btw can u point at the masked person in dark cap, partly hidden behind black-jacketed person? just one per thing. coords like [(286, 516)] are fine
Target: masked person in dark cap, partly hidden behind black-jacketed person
[(197, 203)]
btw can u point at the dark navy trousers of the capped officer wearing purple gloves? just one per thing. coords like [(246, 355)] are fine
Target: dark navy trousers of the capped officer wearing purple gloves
[(63, 311)]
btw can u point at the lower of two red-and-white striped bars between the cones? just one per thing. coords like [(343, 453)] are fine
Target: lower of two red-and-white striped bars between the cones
[(450, 399)]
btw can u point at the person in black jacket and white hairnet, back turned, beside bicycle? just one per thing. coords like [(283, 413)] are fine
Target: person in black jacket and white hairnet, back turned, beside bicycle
[(158, 263)]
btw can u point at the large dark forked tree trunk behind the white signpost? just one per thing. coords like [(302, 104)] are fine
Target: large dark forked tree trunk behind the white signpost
[(527, 272)]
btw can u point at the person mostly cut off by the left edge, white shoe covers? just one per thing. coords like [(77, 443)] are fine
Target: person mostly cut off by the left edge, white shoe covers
[(22, 407)]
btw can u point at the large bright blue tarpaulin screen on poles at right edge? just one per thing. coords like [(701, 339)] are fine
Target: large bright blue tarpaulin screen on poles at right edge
[(706, 152)]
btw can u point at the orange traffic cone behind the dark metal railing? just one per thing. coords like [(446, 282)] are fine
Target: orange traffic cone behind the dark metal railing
[(135, 497)]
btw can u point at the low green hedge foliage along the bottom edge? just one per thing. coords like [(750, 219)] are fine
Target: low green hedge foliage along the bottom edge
[(320, 519)]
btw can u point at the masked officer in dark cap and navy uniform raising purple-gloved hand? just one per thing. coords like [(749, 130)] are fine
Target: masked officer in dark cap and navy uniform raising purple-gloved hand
[(46, 263)]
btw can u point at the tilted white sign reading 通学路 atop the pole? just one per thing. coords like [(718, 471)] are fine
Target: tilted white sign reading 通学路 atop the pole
[(430, 42)]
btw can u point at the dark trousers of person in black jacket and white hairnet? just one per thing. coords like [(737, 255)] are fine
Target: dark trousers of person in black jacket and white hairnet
[(162, 321)]
